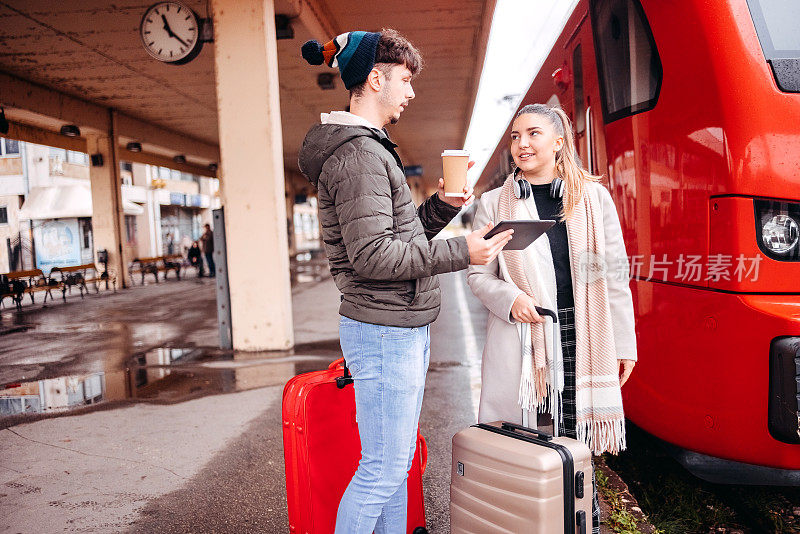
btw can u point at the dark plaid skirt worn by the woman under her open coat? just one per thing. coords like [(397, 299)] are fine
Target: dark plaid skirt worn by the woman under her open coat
[(566, 320)]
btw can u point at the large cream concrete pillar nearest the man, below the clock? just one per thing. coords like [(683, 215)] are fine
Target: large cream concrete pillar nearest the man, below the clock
[(252, 174)]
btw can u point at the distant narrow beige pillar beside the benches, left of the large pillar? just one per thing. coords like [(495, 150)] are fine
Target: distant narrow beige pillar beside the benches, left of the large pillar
[(108, 223)]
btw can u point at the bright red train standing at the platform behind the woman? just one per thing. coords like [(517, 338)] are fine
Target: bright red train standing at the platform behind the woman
[(691, 111)]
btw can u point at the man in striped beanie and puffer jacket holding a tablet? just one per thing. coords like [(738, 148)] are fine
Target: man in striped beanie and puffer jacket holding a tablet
[(384, 263)]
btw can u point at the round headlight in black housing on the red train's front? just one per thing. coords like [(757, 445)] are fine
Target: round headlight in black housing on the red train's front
[(778, 228)]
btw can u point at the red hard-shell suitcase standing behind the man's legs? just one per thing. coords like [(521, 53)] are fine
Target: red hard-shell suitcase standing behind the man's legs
[(321, 448)]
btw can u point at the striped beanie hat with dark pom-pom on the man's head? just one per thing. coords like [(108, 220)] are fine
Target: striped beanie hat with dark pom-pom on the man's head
[(352, 52)]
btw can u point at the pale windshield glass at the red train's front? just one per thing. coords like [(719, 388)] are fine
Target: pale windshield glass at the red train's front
[(776, 23)]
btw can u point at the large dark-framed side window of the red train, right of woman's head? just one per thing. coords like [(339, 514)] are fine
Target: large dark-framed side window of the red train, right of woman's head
[(627, 59)]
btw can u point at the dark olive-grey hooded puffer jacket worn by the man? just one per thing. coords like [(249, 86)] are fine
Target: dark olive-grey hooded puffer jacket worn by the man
[(378, 244)]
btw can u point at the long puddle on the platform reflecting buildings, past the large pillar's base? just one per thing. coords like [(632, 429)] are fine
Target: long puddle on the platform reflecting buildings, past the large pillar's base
[(162, 375)]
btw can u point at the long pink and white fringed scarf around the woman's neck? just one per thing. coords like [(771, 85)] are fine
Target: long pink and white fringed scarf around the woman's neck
[(600, 418)]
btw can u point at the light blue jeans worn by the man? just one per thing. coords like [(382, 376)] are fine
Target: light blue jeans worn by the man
[(388, 365)]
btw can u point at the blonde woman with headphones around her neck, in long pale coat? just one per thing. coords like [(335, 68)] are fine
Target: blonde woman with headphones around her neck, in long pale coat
[(579, 268)]
